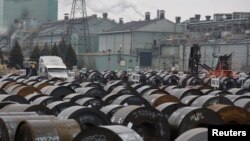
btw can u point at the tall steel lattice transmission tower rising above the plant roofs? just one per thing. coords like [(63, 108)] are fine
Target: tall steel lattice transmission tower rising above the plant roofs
[(80, 24)]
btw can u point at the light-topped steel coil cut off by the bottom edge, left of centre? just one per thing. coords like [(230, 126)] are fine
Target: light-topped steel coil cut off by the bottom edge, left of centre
[(108, 133)]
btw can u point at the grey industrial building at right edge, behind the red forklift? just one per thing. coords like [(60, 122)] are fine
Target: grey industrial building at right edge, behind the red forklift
[(225, 34)]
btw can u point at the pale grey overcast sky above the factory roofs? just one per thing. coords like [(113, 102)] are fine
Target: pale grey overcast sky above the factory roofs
[(135, 9)]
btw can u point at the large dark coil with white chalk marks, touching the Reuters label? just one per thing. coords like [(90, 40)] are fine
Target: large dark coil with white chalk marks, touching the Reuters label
[(187, 118)]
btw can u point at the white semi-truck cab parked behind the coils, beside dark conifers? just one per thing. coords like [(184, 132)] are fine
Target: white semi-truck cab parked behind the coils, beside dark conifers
[(52, 66)]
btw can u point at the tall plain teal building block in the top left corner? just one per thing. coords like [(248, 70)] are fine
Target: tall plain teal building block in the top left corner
[(14, 11)]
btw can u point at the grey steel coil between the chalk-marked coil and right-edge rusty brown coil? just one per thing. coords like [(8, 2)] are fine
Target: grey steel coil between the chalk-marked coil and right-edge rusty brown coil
[(207, 100)]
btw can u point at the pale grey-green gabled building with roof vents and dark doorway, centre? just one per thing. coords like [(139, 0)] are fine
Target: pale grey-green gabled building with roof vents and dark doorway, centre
[(139, 38)]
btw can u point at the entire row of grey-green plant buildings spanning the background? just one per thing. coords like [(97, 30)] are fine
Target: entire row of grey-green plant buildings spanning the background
[(154, 42)]
